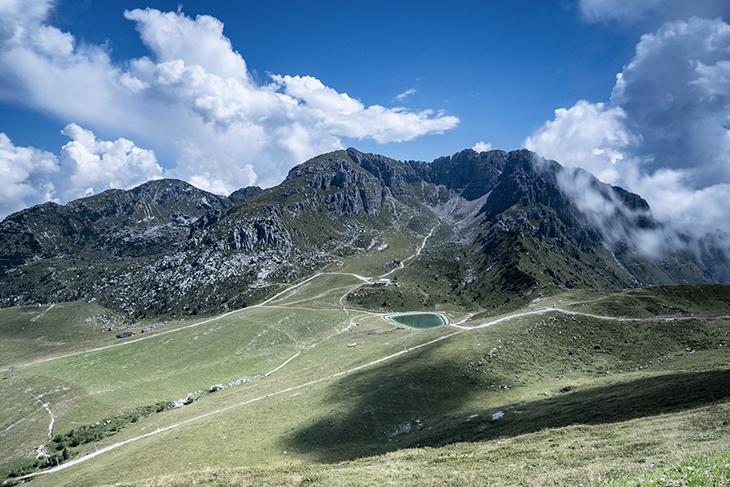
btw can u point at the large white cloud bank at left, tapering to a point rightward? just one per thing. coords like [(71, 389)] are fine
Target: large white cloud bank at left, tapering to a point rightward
[(192, 97)]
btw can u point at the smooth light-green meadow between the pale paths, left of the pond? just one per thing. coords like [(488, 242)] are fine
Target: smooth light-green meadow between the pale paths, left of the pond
[(169, 365)]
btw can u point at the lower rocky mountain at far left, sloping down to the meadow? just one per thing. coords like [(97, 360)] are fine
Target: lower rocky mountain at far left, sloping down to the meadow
[(57, 253)]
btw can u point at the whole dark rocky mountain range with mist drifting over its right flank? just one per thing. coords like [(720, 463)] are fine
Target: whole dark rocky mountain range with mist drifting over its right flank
[(508, 227)]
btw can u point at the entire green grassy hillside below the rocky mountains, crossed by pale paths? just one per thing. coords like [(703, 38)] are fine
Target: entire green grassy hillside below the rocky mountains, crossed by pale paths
[(305, 390)]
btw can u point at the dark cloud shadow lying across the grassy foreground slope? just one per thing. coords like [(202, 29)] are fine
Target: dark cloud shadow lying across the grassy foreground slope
[(409, 403)]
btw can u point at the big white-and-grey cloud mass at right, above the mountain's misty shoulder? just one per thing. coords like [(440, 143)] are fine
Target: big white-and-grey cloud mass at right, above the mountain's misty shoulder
[(665, 133)]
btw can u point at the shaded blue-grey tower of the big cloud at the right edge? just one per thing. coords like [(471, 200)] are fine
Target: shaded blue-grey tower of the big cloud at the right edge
[(676, 95)]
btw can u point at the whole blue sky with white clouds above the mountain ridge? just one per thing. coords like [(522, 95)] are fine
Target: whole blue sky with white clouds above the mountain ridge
[(226, 94)]
